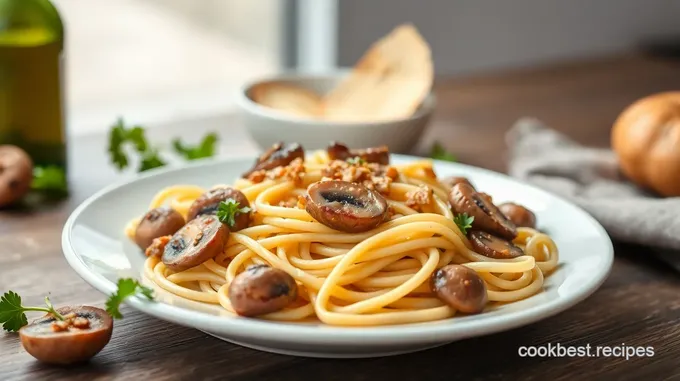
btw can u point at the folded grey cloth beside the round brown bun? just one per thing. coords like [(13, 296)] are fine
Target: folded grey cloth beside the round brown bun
[(590, 178)]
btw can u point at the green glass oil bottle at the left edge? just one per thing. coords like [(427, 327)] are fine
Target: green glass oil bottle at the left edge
[(31, 92)]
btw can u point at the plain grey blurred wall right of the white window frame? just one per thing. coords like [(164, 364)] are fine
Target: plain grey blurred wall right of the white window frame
[(475, 35)]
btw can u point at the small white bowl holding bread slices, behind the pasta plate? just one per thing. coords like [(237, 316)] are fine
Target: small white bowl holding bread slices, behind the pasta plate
[(268, 126)]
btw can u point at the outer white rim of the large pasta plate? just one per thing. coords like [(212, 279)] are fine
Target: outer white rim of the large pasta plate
[(336, 335)]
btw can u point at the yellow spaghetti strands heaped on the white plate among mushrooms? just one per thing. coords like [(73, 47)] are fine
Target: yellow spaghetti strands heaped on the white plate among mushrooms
[(377, 277)]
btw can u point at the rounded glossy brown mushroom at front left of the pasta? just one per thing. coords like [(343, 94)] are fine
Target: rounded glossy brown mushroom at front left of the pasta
[(261, 290)]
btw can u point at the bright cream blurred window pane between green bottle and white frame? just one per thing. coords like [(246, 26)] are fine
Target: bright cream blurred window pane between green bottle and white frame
[(159, 60)]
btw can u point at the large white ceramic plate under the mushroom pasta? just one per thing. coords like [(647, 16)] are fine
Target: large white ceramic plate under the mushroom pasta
[(95, 246)]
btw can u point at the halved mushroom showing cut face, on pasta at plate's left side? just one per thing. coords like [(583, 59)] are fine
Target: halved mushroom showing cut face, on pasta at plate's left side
[(199, 240)]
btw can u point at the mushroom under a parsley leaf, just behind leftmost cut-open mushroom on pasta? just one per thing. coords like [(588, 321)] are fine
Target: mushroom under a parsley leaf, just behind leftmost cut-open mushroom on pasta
[(209, 202)]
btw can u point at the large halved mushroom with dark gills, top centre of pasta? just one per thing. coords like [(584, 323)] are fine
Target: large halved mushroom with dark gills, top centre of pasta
[(345, 206)]
